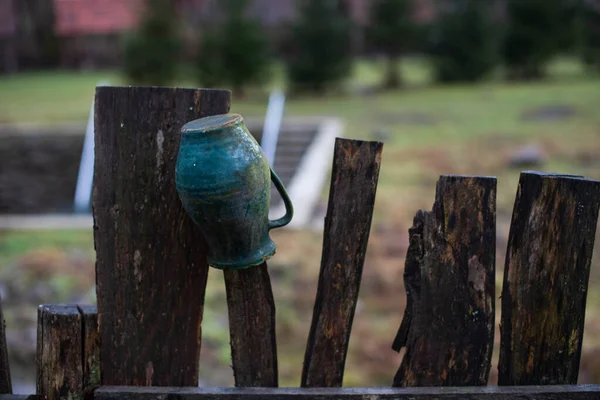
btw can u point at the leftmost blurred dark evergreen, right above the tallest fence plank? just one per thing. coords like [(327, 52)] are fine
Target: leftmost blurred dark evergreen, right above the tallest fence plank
[(151, 53)]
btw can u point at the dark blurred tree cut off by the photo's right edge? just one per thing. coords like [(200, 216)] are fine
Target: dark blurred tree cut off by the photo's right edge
[(590, 20)]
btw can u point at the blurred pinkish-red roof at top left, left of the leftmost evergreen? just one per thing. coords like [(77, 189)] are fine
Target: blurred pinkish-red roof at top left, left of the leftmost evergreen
[(86, 17)]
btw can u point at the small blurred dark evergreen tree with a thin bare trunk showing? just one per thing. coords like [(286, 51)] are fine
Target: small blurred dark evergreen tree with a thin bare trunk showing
[(392, 30)]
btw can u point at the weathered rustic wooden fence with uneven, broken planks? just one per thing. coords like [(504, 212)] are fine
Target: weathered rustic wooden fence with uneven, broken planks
[(143, 340)]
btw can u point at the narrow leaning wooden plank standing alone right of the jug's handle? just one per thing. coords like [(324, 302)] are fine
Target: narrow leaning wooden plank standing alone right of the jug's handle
[(347, 226)]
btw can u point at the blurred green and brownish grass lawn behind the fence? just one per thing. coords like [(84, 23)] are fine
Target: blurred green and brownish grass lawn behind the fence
[(428, 130)]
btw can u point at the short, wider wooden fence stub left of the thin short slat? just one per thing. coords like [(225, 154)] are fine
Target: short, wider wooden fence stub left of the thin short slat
[(59, 352)]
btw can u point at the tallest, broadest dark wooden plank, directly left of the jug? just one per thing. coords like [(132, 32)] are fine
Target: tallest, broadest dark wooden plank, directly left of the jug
[(151, 262)]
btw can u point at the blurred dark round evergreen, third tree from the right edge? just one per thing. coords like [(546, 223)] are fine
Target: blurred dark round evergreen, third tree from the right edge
[(463, 43)]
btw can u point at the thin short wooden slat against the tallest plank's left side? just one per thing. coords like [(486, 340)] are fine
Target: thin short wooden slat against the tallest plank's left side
[(91, 350)]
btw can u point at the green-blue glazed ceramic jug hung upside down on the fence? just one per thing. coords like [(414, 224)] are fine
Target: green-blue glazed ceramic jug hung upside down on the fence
[(224, 182)]
